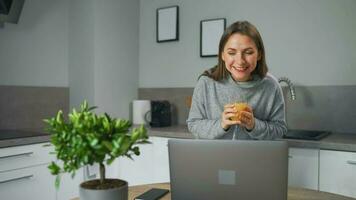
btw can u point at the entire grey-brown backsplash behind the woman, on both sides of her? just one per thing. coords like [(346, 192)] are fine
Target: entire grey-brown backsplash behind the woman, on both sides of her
[(329, 108)]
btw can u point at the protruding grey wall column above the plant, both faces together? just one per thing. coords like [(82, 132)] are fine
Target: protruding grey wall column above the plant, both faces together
[(103, 60)]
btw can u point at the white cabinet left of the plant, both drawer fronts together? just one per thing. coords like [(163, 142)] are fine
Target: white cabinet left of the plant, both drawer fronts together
[(24, 173)]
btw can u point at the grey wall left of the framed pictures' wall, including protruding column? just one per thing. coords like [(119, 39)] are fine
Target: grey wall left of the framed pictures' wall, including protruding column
[(90, 46)]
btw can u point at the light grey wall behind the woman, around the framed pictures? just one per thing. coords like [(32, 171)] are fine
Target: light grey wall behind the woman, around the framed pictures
[(311, 42)]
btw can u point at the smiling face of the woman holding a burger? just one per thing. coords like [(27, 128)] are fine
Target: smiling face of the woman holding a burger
[(240, 56)]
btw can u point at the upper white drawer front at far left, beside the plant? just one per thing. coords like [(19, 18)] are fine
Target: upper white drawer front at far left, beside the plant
[(25, 156)]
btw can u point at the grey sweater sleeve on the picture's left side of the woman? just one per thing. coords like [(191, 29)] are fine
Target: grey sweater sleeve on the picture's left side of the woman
[(198, 123)]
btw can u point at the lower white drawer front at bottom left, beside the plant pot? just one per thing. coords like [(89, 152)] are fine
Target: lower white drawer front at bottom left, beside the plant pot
[(28, 183)]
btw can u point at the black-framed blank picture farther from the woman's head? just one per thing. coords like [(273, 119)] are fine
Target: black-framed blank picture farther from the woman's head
[(167, 24)]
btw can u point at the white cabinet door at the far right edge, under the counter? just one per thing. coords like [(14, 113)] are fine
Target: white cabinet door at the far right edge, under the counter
[(338, 172)]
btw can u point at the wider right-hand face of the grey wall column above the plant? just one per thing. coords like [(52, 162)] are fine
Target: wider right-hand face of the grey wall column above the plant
[(116, 55)]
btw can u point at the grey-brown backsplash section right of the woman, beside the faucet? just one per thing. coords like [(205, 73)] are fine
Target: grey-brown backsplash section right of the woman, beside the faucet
[(322, 108)]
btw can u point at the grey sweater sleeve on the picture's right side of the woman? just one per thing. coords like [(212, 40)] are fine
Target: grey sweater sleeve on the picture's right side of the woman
[(276, 126)]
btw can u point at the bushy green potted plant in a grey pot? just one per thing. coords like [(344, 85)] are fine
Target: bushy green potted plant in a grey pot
[(85, 138)]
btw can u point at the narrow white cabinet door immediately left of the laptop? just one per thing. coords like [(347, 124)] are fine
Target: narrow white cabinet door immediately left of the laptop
[(160, 160)]
